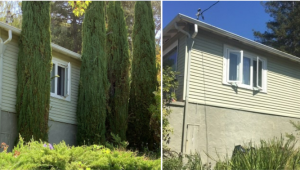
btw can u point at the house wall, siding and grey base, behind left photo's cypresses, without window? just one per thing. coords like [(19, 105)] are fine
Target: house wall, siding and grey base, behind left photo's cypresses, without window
[(62, 113)]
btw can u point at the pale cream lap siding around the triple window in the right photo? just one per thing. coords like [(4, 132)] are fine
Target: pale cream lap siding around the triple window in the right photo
[(283, 82)]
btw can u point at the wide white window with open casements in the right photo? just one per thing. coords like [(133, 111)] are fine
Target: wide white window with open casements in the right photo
[(245, 70)]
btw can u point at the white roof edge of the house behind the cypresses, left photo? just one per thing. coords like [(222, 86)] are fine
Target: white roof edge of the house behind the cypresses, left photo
[(55, 47)]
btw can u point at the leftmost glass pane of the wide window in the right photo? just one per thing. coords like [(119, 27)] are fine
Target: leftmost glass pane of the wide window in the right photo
[(234, 64)]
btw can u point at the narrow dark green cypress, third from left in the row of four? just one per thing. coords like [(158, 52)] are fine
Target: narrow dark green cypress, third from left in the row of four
[(118, 69)]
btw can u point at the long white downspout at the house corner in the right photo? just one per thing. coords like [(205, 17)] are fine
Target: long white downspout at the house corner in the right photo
[(190, 43)]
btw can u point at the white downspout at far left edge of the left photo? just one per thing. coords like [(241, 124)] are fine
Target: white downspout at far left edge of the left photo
[(2, 49)]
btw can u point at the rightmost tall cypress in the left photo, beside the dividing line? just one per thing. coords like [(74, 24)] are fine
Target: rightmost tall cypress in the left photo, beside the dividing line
[(144, 80)]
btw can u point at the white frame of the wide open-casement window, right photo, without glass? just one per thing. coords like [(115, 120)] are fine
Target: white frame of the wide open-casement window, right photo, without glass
[(239, 83)]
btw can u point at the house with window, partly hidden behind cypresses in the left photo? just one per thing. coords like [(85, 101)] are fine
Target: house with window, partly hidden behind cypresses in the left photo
[(63, 102)]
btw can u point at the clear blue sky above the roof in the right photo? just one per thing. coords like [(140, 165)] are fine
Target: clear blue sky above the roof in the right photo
[(236, 17)]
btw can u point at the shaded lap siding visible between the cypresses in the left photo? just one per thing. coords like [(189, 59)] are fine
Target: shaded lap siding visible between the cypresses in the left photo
[(60, 110)]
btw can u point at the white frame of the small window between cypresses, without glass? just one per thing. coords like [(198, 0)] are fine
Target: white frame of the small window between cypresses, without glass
[(66, 65)]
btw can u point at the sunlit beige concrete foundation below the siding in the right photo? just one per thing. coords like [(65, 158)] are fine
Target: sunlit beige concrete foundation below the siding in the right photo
[(211, 129)]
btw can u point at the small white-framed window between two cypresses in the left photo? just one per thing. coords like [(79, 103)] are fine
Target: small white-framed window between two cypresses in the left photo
[(61, 80)]
